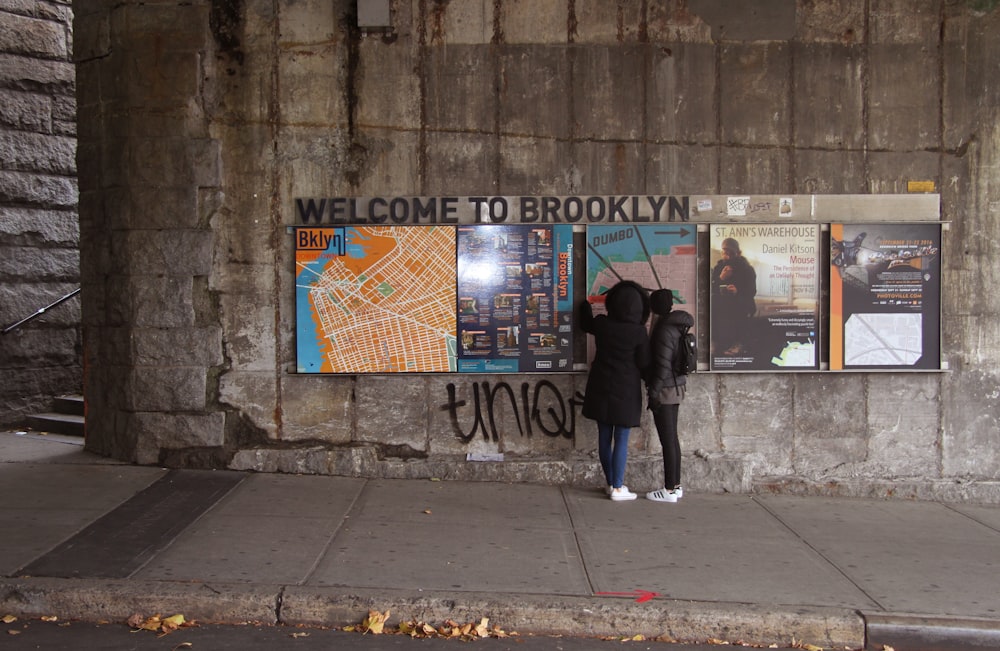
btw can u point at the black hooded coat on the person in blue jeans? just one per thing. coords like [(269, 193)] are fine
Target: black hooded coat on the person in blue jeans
[(614, 386)]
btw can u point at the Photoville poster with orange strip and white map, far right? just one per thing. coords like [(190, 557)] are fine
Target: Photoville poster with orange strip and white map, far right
[(885, 296)]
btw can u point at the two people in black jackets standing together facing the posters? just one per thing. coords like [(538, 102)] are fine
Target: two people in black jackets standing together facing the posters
[(625, 357)]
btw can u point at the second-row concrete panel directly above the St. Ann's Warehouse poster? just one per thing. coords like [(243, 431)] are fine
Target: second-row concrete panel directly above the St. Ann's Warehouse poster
[(755, 95)]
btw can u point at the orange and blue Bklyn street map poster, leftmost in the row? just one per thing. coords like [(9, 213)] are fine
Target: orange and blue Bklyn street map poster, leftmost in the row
[(375, 299)]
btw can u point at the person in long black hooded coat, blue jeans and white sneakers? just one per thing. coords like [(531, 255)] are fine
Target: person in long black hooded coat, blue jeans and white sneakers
[(614, 386)]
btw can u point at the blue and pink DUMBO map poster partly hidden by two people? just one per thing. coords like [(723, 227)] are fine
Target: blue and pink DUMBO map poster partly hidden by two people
[(657, 256)]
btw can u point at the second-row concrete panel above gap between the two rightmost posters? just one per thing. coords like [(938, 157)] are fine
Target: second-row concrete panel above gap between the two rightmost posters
[(827, 91)]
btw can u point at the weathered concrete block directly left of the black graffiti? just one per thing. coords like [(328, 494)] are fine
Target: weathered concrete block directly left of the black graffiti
[(392, 411)]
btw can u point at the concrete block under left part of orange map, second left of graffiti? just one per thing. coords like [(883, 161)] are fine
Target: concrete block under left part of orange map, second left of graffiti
[(317, 409)]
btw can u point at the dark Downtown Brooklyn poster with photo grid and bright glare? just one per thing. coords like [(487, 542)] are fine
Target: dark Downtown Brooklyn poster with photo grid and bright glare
[(515, 298)]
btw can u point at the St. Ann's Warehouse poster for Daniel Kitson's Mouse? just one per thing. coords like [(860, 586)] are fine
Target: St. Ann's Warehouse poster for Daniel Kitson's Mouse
[(764, 297)]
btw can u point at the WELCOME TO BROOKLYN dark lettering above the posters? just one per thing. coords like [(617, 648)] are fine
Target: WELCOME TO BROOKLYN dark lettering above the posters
[(492, 210)]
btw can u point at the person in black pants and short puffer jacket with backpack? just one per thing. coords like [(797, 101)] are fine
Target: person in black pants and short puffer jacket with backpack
[(665, 389)]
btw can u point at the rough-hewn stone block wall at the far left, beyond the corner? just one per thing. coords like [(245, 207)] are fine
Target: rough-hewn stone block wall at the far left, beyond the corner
[(39, 226)]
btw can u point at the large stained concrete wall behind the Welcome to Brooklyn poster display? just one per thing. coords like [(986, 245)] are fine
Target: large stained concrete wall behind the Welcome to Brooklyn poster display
[(201, 122)]
